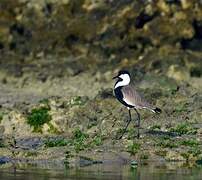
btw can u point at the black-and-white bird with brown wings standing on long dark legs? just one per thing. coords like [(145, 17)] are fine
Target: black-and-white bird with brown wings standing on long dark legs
[(126, 94)]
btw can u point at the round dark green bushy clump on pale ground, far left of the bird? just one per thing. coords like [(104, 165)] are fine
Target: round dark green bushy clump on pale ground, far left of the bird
[(38, 117)]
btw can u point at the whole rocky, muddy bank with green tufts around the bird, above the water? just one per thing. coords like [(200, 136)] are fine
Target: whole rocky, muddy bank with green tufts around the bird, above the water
[(56, 99)]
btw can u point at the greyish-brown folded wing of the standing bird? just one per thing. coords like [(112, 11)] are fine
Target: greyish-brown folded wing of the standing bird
[(132, 97)]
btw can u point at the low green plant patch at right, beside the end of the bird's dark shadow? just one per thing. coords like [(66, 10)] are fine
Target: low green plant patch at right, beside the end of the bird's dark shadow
[(184, 128)]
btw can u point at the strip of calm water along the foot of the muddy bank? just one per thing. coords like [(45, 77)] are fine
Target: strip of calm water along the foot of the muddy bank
[(153, 171)]
